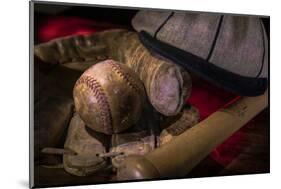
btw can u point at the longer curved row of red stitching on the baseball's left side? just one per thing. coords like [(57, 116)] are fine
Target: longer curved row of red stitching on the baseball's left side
[(98, 92)]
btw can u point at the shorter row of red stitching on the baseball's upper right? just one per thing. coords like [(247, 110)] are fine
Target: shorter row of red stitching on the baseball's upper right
[(130, 81)]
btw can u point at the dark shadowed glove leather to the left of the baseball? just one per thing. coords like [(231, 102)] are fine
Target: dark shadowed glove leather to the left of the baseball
[(53, 105)]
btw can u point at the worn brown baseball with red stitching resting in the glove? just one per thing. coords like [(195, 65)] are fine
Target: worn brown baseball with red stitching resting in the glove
[(109, 97)]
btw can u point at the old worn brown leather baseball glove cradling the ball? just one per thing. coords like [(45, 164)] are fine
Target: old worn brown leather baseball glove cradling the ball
[(167, 86)]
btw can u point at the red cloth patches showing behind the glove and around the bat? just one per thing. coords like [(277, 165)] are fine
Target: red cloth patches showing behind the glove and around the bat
[(205, 97)]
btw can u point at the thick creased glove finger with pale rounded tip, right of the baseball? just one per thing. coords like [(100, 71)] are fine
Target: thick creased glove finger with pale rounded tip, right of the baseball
[(167, 84)]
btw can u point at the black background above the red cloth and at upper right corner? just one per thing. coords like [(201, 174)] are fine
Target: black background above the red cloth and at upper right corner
[(116, 16)]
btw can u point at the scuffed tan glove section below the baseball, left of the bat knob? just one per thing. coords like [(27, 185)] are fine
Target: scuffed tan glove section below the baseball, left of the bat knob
[(86, 144)]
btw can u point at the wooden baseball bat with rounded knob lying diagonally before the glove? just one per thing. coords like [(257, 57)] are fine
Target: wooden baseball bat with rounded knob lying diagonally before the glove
[(179, 156)]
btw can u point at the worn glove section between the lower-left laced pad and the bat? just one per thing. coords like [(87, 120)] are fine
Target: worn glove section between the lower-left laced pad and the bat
[(141, 139)]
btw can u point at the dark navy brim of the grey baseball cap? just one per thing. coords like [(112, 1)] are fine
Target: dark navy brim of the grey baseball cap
[(240, 85)]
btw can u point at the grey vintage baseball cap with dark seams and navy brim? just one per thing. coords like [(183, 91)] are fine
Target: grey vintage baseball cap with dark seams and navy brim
[(230, 51)]
